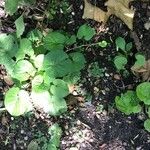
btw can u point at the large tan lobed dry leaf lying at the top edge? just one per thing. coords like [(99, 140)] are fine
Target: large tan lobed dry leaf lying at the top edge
[(119, 8)]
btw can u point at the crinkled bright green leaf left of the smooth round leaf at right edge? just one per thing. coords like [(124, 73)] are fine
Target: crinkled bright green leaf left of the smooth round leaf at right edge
[(128, 103)]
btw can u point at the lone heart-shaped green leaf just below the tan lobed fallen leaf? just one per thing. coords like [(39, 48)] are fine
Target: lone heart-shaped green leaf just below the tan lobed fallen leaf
[(85, 32)]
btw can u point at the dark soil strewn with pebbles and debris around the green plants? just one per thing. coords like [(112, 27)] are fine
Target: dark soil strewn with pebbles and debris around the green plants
[(86, 127)]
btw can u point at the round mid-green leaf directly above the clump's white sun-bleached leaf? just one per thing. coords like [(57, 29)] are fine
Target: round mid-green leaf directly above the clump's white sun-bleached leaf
[(59, 88)]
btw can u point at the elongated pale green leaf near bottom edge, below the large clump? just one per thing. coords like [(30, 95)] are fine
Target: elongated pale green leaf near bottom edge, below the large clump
[(56, 132)]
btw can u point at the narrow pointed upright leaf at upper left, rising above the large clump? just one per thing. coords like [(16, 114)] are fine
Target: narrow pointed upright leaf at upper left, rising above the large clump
[(20, 27)]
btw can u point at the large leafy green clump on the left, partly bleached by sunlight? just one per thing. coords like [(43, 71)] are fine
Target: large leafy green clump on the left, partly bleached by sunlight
[(41, 78)]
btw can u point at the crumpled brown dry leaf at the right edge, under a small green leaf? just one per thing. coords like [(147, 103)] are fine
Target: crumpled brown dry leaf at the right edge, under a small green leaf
[(143, 71)]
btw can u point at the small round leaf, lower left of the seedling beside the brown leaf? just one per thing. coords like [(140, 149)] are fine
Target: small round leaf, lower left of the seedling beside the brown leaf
[(120, 62)]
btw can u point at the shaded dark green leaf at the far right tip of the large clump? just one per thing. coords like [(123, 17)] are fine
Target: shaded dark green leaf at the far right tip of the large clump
[(78, 61)]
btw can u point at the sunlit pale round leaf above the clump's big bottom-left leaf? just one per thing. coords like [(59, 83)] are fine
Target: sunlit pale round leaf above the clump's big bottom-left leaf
[(23, 69)]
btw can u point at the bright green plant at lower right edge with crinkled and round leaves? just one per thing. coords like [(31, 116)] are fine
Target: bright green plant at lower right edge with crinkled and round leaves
[(130, 102)]
